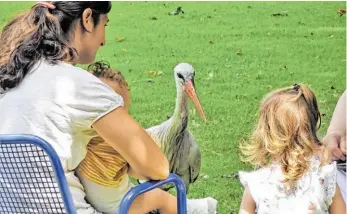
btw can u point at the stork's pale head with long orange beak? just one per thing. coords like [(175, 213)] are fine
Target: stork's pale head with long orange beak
[(184, 75)]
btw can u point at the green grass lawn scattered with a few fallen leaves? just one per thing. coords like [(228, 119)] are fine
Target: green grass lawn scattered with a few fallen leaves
[(240, 53)]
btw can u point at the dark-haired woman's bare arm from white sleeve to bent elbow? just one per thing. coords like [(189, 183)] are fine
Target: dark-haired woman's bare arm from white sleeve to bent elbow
[(126, 136)]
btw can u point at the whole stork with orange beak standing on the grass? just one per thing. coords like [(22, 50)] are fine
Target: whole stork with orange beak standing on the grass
[(173, 136)]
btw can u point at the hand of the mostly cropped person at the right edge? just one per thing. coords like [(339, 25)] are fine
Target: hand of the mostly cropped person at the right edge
[(336, 142)]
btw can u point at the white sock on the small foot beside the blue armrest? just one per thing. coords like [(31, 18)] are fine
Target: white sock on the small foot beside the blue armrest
[(202, 206)]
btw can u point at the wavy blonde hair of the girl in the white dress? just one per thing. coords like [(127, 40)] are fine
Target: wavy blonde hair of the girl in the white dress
[(286, 133)]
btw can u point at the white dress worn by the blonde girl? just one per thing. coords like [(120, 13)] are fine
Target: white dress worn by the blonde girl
[(313, 193)]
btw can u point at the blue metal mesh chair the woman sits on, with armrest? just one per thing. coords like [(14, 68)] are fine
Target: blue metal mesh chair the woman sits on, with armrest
[(32, 180)]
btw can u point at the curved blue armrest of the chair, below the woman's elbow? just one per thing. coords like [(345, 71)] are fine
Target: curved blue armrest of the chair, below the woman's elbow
[(150, 185)]
